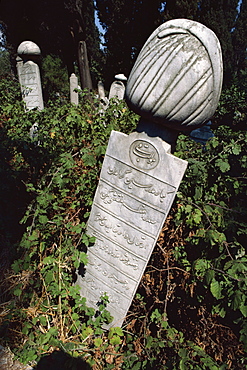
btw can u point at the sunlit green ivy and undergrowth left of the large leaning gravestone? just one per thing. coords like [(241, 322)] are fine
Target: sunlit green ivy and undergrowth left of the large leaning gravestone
[(61, 167)]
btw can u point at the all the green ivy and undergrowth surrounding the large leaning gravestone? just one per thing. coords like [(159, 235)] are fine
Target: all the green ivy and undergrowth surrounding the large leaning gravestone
[(60, 168)]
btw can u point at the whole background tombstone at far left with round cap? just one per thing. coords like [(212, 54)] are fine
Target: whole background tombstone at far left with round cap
[(29, 75)]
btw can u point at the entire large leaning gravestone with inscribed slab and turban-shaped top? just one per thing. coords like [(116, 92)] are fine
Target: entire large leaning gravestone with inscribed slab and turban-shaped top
[(140, 177)]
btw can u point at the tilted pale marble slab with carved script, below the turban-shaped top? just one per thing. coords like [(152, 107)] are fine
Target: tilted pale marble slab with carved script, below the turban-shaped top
[(137, 186)]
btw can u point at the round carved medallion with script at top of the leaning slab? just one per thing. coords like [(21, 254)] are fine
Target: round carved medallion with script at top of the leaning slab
[(144, 155)]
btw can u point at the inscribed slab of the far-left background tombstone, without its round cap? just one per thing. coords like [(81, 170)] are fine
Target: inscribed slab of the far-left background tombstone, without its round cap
[(29, 78)]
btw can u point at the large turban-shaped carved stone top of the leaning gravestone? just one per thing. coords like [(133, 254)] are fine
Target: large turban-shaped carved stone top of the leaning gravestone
[(177, 78)]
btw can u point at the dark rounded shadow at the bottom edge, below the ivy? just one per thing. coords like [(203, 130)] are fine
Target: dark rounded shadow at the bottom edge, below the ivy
[(59, 360)]
